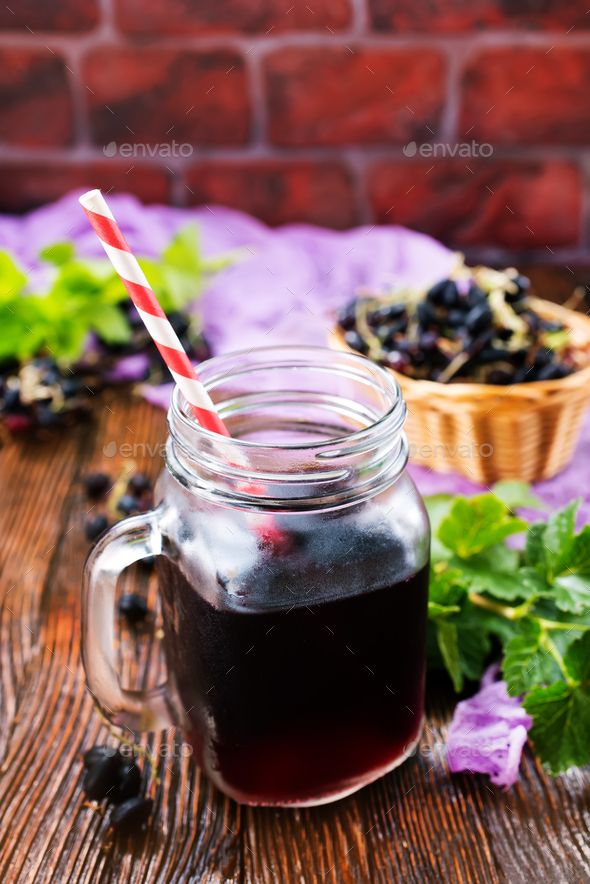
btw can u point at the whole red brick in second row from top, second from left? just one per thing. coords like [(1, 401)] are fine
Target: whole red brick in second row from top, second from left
[(157, 96)]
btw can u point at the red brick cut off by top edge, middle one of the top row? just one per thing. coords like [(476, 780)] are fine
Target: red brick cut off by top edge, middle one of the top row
[(153, 17)]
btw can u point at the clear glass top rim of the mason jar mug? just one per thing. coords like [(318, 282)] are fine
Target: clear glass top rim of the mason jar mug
[(211, 372)]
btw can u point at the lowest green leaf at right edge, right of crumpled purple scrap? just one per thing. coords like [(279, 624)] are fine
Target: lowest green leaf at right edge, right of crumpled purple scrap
[(561, 713)]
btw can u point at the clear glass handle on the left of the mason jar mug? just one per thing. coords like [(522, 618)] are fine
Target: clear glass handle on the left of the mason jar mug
[(127, 542)]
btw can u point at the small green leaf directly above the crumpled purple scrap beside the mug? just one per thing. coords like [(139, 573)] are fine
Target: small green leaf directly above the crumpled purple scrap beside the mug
[(526, 661)]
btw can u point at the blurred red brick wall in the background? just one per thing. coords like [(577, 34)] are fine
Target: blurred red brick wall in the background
[(469, 120)]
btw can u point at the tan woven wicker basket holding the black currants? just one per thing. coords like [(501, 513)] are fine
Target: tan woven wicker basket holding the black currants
[(488, 432)]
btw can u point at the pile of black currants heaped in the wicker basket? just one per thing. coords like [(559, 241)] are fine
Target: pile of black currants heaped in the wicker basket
[(478, 325)]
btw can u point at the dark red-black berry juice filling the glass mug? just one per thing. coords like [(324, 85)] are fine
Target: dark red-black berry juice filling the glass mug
[(300, 703)]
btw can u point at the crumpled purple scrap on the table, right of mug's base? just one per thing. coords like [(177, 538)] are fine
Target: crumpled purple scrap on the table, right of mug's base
[(488, 733)]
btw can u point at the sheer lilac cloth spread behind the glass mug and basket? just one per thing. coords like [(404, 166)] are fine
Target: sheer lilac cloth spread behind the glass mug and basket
[(286, 289)]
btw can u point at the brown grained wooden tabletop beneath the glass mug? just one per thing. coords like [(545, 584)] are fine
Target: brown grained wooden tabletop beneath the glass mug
[(417, 824)]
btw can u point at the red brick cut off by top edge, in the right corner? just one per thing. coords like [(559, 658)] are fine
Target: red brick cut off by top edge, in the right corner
[(457, 16)]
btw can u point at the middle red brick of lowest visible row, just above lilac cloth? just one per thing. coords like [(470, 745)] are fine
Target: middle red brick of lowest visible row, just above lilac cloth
[(279, 192)]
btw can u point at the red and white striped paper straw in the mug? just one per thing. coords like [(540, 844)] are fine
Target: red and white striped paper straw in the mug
[(152, 315)]
